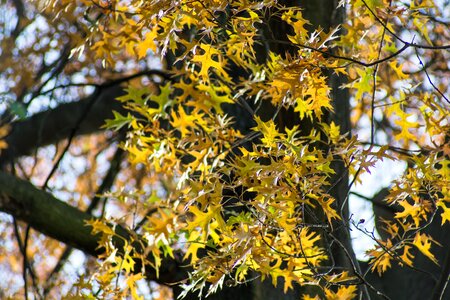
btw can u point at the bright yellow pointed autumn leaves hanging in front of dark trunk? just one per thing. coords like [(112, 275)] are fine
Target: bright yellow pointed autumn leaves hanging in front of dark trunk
[(240, 144)]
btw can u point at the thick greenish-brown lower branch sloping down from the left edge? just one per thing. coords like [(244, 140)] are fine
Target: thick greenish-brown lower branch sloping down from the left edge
[(58, 220)]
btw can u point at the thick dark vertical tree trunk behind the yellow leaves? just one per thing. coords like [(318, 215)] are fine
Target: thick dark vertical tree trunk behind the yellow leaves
[(321, 13)]
